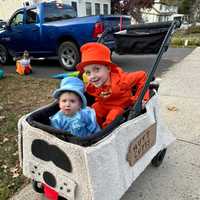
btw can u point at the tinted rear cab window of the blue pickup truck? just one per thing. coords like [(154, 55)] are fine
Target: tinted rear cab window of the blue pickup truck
[(58, 11)]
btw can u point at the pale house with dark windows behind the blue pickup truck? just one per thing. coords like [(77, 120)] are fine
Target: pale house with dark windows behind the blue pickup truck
[(83, 7)]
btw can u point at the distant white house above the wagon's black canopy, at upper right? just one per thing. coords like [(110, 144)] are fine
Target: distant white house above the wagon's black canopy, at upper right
[(160, 12)]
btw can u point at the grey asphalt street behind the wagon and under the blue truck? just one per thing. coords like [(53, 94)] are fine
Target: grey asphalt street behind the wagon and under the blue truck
[(47, 68)]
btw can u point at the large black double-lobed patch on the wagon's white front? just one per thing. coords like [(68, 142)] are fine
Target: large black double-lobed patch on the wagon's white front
[(44, 151)]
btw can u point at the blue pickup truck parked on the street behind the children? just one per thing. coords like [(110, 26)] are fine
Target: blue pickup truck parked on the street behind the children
[(53, 29)]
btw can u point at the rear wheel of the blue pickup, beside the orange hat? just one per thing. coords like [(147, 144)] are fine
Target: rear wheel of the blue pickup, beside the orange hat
[(68, 55)]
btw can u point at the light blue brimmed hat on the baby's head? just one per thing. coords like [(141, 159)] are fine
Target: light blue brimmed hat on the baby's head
[(74, 85)]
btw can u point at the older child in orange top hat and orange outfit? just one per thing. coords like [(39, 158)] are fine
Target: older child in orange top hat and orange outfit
[(109, 84)]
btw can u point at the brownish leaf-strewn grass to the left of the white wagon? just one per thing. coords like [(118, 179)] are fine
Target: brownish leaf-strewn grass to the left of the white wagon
[(19, 95)]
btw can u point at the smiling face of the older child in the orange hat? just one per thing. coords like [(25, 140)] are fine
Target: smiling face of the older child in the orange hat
[(97, 74)]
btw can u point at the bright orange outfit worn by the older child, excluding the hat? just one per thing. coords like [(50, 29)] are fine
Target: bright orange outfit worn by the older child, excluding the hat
[(111, 99)]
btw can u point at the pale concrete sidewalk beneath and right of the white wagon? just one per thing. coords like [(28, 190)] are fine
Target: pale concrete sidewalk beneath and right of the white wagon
[(178, 178)]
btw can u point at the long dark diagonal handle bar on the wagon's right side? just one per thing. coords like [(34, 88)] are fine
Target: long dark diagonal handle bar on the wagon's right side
[(137, 108)]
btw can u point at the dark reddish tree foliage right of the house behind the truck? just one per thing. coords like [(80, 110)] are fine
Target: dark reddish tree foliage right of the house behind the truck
[(132, 7)]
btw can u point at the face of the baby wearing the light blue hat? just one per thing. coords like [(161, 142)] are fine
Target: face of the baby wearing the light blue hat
[(69, 103)]
